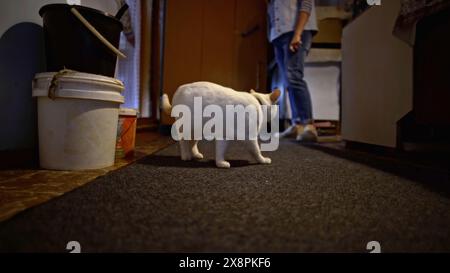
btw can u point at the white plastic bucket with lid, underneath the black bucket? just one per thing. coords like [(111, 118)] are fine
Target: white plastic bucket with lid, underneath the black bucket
[(78, 124)]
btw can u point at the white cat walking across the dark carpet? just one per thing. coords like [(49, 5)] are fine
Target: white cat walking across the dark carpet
[(214, 94)]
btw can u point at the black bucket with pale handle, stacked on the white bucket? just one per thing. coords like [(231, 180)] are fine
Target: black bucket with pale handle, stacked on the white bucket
[(70, 44)]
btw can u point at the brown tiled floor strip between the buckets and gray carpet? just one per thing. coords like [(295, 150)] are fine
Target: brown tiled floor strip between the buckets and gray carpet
[(22, 189)]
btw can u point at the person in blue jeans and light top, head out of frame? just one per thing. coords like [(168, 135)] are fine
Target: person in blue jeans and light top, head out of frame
[(292, 25)]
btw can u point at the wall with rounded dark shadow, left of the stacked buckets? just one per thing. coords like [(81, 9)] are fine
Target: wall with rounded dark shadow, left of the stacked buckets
[(22, 56)]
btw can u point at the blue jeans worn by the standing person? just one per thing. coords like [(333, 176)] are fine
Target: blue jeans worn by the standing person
[(291, 66)]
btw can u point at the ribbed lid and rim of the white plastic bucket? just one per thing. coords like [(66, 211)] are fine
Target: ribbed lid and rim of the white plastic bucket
[(77, 85)]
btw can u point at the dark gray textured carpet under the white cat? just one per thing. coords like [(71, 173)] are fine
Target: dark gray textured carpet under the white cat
[(306, 201)]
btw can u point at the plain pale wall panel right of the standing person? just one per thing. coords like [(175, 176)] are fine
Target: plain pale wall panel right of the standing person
[(376, 76)]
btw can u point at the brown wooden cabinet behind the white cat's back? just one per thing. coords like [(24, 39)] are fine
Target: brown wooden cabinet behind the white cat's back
[(222, 41)]
